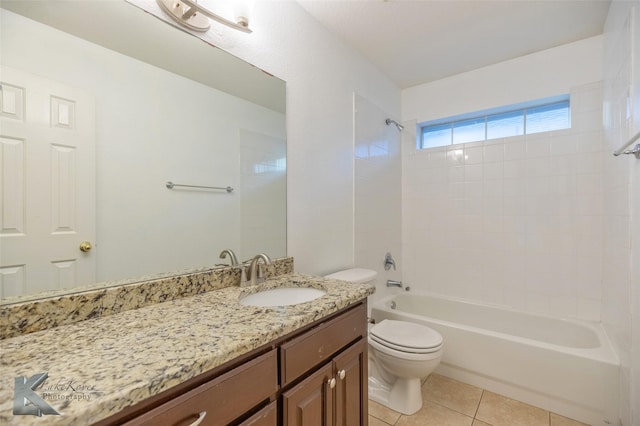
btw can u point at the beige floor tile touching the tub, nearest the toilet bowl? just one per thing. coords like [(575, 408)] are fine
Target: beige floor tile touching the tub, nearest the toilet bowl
[(452, 394)]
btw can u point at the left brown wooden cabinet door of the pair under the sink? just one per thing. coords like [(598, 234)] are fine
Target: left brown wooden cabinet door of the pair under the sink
[(310, 403)]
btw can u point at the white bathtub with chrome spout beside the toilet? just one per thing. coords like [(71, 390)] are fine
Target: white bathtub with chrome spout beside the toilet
[(567, 367)]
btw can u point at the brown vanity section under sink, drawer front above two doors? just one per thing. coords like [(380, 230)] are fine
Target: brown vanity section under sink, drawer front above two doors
[(335, 394)]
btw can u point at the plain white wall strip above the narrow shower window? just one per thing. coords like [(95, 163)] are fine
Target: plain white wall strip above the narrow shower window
[(539, 75)]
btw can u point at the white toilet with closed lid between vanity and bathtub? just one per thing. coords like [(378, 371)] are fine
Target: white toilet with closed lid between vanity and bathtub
[(401, 354)]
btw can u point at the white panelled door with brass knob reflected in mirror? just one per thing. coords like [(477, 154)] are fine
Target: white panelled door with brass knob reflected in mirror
[(47, 184)]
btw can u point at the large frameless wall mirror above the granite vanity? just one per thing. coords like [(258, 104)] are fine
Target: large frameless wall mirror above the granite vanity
[(101, 105)]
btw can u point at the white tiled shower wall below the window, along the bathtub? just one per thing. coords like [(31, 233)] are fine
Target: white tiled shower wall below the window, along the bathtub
[(514, 221)]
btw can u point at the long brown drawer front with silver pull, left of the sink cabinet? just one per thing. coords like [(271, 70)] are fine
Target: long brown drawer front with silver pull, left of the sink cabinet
[(223, 399)]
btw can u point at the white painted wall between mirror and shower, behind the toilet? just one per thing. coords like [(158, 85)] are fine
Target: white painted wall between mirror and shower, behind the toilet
[(321, 74)]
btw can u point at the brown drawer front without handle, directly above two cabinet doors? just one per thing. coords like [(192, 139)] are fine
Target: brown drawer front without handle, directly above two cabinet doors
[(319, 344)]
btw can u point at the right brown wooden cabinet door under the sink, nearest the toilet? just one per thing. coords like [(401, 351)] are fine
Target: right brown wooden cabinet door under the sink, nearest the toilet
[(351, 386)]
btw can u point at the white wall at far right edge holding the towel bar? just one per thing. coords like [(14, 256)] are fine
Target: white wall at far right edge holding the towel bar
[(621, 304)]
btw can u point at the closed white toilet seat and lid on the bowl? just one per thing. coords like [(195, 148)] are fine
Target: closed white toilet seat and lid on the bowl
[(406, 337)]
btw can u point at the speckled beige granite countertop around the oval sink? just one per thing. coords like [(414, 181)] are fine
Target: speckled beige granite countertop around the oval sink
[(99, 366)]
